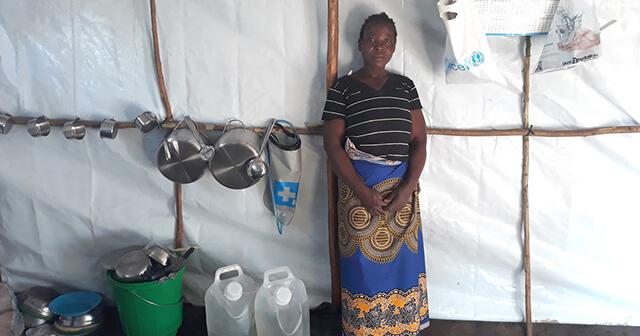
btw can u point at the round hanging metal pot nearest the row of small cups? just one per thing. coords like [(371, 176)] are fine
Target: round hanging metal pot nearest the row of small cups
[(184, 154)]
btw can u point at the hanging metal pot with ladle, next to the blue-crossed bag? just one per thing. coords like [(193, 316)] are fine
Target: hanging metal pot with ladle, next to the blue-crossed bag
[(238, 161)]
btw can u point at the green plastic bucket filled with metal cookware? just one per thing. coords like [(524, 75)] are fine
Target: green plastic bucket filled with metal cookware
[(149, 308)]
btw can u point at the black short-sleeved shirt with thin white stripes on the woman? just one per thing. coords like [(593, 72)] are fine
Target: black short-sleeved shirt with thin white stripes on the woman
[(378, 122)]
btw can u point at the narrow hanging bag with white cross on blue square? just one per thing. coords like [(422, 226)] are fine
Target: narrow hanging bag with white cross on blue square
[(285, 168)]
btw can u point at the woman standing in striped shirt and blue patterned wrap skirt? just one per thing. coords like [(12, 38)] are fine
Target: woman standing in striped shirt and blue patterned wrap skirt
[(374, 136)]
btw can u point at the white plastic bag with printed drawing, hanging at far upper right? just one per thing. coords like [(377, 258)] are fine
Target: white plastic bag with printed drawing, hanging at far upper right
[(574, 37)]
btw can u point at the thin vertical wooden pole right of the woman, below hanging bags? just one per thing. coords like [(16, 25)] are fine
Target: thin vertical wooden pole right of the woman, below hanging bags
[(525, 185)]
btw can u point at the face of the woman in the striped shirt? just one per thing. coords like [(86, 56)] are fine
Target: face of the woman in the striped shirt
[(378, 44)]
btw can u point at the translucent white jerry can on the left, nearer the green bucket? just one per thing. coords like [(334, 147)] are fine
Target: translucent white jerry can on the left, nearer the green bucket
[(229, 303)]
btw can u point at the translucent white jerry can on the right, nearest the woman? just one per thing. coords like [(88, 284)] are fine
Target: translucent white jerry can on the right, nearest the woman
[(282, 307)]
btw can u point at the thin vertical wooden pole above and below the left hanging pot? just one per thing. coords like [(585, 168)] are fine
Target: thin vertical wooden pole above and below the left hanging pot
[(179, 223)]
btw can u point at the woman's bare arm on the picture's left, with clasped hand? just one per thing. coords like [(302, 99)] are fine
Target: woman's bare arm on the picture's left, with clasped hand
[(333, 137)]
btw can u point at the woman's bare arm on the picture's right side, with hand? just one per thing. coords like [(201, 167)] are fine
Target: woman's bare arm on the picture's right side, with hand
[(417, 158)]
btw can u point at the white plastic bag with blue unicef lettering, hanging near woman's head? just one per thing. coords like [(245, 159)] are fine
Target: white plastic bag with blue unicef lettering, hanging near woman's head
[(467, 58)]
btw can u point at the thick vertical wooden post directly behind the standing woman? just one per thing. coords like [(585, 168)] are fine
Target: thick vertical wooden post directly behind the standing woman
[(332, 181)]
